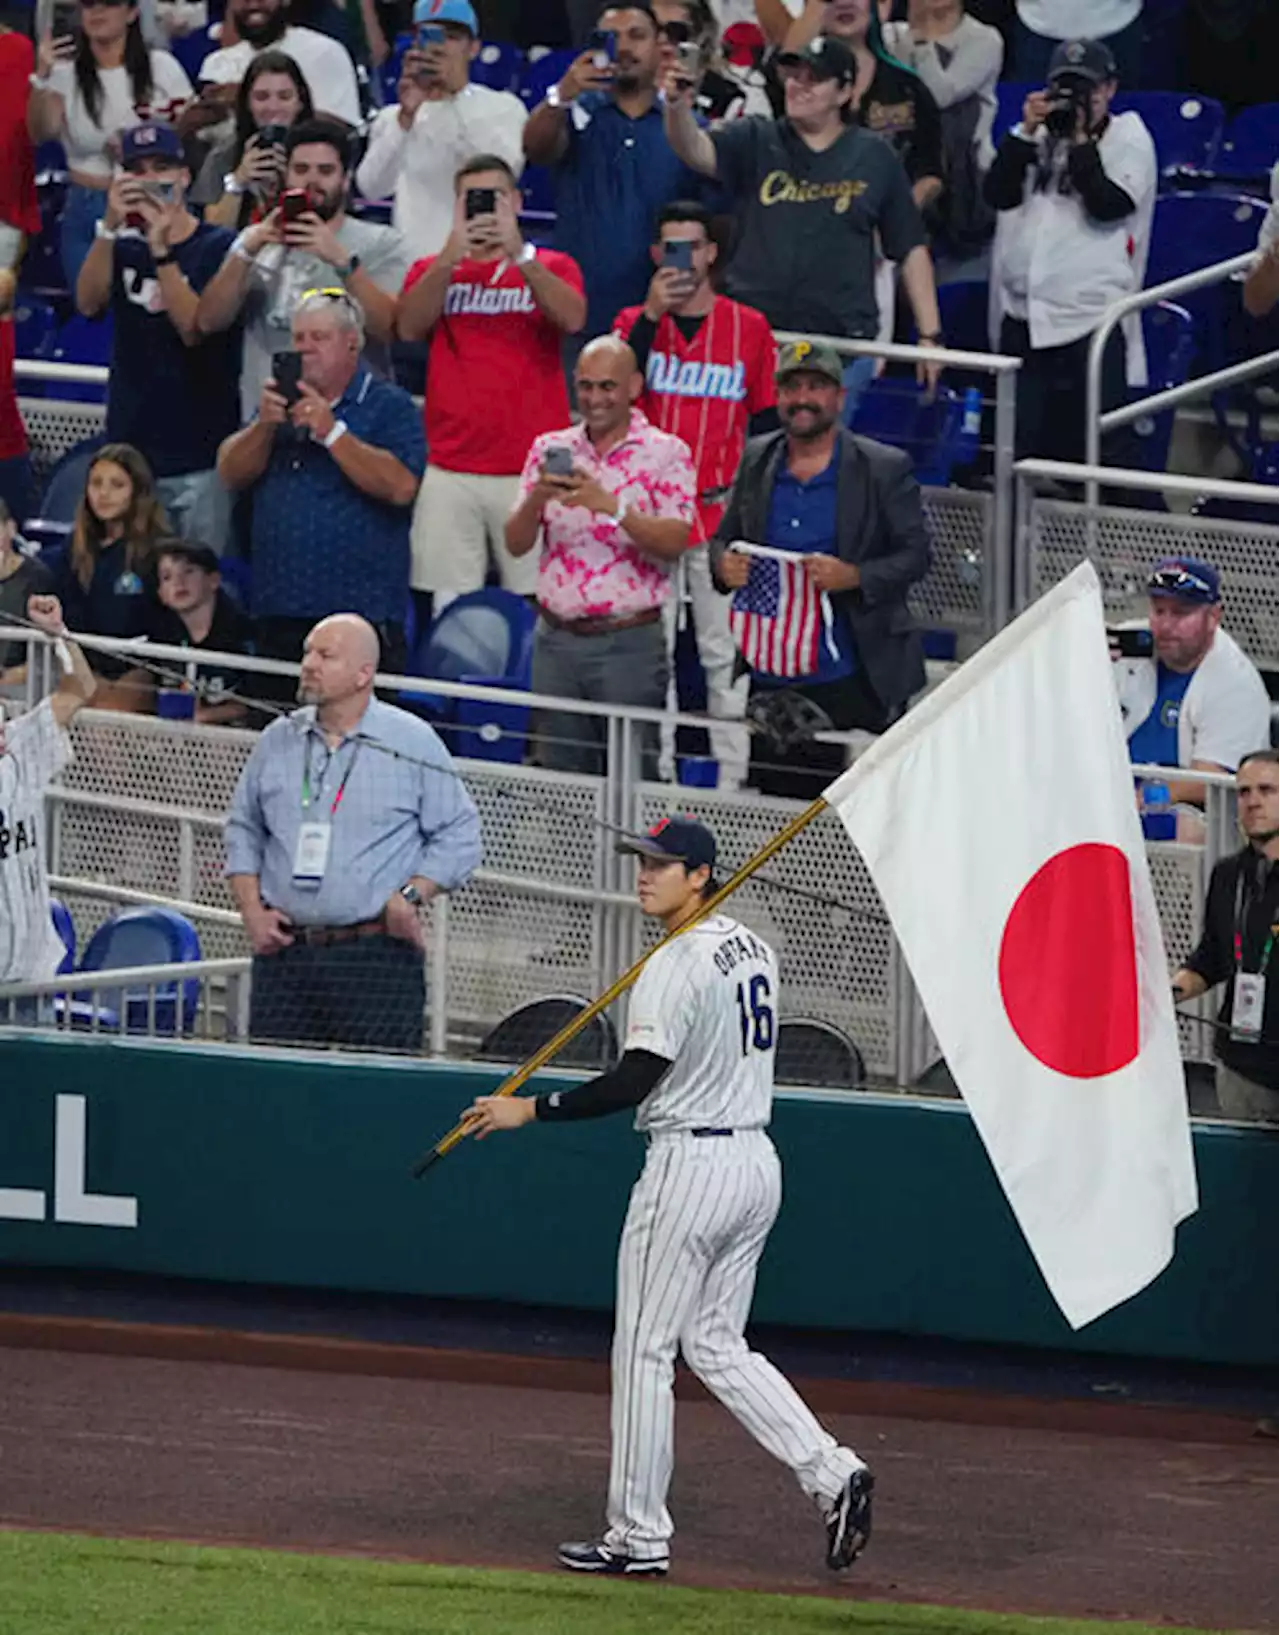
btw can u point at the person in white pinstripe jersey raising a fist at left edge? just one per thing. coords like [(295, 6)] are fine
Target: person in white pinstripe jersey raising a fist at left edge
[(34, 750)]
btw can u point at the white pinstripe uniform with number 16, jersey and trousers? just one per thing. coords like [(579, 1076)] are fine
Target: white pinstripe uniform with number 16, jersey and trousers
[(696, 1230)]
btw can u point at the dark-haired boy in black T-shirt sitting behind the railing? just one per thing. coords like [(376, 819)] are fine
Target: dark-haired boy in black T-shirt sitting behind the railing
[(197, 612)]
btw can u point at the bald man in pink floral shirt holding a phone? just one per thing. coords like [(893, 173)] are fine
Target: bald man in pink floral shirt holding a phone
[(609, 506)]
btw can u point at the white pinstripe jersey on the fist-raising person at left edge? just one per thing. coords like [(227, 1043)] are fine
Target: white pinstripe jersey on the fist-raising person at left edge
[(37, 750)]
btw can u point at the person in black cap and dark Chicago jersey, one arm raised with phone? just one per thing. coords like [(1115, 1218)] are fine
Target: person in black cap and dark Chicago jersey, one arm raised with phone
[(812, 194)]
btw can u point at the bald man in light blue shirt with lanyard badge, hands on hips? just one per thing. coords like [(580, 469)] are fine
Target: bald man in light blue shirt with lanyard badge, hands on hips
[(347, 820)]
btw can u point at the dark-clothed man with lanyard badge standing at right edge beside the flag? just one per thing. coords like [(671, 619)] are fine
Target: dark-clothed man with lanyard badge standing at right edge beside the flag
[(1242, 947)]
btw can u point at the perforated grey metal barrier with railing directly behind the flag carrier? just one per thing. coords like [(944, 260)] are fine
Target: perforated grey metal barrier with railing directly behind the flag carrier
[(140, 813)]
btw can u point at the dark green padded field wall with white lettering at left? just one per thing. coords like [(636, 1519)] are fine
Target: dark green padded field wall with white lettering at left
[(272, 1170)]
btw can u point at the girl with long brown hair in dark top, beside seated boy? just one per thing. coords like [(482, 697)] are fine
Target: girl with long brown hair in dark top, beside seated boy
[(107, 581)]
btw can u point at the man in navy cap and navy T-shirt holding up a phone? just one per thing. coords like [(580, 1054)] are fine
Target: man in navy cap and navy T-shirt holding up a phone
[(172, 392)]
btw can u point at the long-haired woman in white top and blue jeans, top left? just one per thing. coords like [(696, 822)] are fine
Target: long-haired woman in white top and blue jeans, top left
[(91, 87)]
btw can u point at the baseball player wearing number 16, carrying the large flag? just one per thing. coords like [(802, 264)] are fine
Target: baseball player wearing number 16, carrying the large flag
[(699, 1065)]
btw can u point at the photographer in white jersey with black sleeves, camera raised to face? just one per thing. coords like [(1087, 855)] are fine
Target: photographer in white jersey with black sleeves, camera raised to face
[(1075, 190)]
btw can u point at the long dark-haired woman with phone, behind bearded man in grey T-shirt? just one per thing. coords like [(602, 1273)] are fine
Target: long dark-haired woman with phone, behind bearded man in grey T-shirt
[(241, 179)]
